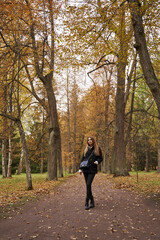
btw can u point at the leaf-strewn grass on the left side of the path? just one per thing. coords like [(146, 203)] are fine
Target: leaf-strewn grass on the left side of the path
[(14, 189)]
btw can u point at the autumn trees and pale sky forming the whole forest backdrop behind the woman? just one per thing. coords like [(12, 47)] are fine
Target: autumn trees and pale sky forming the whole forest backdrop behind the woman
[(48, 50)]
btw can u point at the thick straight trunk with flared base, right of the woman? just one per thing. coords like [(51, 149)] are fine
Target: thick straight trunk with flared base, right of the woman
[(119, 166)]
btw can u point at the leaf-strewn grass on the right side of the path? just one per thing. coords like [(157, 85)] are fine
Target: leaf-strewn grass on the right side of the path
[(147, 182)]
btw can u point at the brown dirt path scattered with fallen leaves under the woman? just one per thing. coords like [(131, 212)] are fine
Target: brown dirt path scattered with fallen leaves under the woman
[(117, 214)]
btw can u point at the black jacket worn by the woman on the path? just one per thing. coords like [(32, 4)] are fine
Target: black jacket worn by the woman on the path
[(92, 167)]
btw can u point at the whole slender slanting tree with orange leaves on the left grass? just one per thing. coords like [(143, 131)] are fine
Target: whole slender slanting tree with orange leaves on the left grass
[(13, 47)]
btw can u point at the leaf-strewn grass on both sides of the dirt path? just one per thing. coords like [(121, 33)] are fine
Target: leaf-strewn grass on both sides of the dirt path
[(14, 190)]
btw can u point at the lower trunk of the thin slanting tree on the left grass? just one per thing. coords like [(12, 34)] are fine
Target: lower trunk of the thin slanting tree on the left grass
[(26, 155)]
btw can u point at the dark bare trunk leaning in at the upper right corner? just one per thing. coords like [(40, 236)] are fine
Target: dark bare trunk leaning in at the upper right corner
[(141, 46)]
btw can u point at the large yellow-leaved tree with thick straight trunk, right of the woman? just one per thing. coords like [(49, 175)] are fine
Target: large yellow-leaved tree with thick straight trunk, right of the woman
[(109, 34)]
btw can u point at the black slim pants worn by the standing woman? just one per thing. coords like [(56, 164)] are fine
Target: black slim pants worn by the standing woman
[(89, 179)]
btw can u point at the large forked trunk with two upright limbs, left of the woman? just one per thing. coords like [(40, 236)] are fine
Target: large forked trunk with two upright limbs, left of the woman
[(54, 131)]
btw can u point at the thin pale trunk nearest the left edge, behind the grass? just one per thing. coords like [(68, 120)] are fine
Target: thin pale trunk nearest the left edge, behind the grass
[(4, 158)]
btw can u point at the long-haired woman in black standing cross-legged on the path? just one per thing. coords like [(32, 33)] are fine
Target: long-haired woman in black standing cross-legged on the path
[(93, 152)]
